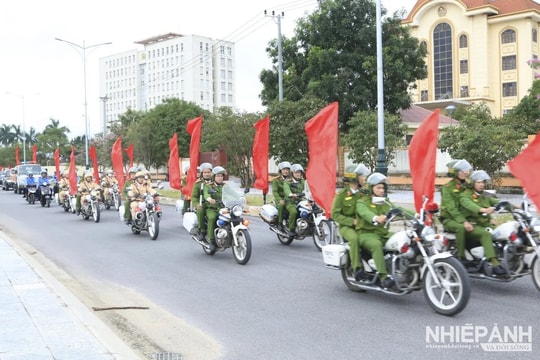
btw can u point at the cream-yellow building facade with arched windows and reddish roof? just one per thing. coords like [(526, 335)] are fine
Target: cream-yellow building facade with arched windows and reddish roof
[(477, 51)]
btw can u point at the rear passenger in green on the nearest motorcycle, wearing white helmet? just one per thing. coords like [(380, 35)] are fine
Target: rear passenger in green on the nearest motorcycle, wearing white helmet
[(344, 211)]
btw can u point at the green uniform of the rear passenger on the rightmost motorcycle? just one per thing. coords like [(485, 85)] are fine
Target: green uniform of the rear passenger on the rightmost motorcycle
[(451, 215)]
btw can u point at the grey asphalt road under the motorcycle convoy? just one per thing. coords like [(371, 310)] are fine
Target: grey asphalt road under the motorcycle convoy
[(282, 305)]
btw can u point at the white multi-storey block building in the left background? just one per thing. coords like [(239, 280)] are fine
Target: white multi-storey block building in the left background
[(188, 67)]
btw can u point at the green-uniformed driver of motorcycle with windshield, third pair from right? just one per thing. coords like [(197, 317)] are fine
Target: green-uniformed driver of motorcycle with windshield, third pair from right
[(212, 193)]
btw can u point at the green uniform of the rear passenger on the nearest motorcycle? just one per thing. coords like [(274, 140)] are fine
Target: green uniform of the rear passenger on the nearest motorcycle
[(344, 213)]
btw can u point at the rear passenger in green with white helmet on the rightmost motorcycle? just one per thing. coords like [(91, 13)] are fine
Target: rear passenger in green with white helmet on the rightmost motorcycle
[(452, 217)]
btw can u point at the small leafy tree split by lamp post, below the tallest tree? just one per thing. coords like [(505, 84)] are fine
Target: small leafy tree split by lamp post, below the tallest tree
[(362, 137)]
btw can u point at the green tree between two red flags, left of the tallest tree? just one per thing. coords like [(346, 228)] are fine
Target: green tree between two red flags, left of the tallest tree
[(288, 141)]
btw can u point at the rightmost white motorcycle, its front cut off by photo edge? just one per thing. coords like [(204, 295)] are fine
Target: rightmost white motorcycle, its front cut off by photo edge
[(516, 243)]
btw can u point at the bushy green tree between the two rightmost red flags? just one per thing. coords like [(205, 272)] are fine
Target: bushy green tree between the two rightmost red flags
[(487, 143)]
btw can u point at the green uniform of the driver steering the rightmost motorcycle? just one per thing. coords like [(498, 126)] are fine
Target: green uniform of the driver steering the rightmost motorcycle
[(471, 202)]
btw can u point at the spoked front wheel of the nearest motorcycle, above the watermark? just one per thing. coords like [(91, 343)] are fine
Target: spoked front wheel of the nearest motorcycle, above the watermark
[(453, 295)]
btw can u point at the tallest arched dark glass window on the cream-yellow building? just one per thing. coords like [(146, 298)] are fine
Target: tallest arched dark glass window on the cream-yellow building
[(442, 61)]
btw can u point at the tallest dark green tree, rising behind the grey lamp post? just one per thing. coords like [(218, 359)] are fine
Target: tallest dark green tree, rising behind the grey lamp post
[(333, 57)]
